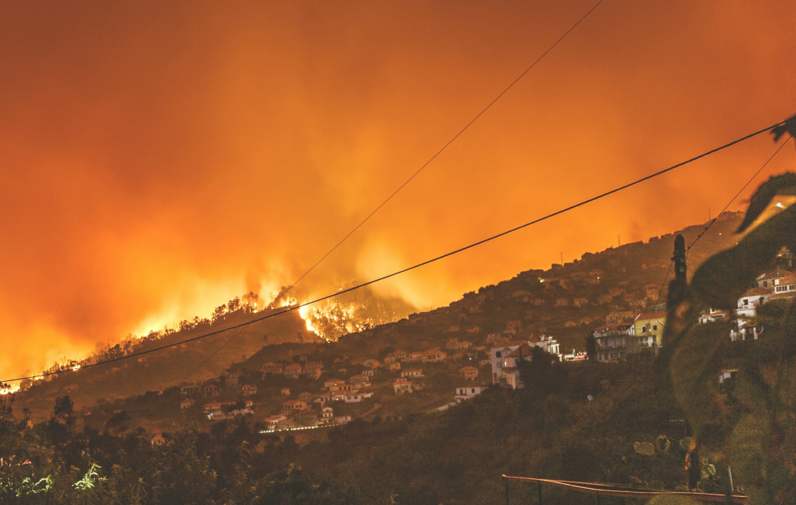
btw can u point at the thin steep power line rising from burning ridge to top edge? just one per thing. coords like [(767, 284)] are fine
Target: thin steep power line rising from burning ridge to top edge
[(447, 144)]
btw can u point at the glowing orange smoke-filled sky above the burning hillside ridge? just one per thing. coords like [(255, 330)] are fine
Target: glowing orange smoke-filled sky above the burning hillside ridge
[(157, 158)]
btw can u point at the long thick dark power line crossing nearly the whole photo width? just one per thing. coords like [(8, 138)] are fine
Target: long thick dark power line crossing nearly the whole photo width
[(421, 264)]
